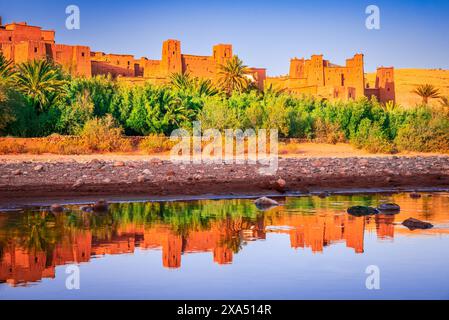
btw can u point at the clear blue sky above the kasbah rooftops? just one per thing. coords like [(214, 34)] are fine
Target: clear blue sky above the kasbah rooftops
[(413, 34)]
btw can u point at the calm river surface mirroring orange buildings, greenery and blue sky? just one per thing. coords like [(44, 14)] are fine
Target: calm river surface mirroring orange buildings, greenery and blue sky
[(228, 249)]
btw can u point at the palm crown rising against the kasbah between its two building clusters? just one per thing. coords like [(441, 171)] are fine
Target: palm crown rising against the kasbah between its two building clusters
[(233, 76)]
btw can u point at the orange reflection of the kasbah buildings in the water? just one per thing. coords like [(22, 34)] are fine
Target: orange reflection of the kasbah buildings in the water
[(222, 237)]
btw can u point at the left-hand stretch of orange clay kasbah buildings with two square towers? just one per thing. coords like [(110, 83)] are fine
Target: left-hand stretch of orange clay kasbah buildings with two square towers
[(20, 42)]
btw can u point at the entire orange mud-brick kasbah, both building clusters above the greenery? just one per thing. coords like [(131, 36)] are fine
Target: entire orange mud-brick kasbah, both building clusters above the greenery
[(20, 42)]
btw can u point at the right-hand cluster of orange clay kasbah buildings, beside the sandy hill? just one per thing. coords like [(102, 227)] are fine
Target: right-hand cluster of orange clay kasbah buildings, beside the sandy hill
[(322, 78)]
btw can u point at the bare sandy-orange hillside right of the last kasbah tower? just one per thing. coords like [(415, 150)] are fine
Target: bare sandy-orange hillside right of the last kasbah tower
[(408, 79)]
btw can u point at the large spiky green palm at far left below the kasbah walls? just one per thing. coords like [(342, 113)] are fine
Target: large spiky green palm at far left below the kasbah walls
[(41, 81)]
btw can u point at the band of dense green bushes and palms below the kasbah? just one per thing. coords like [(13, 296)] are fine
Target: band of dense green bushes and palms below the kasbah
[(38, 99)]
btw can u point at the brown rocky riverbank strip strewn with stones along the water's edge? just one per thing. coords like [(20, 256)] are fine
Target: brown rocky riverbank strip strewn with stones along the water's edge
[(156, 177)]
